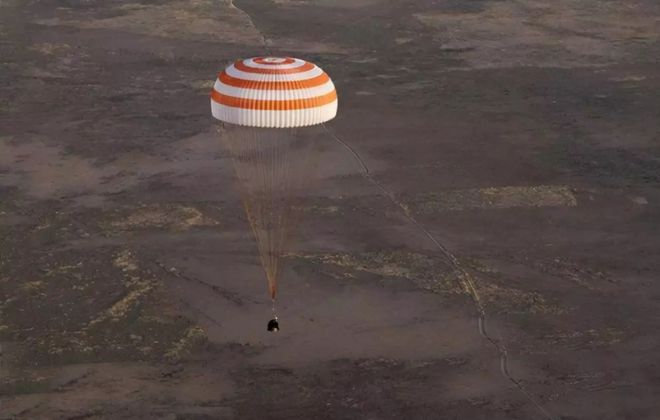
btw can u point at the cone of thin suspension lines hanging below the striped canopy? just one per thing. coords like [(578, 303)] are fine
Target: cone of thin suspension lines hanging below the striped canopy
[(272, 166)]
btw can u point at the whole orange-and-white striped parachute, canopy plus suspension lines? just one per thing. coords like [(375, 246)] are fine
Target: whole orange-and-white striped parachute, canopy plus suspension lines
[(268, 108)]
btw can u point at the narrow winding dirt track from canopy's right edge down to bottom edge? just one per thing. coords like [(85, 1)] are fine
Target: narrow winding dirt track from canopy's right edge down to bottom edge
[(464, 278)]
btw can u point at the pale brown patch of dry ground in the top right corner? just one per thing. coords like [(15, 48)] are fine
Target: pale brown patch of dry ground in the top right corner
[(564, 33)]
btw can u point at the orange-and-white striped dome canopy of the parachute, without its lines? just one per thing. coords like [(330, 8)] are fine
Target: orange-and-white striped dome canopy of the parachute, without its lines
[(277, 92)]
